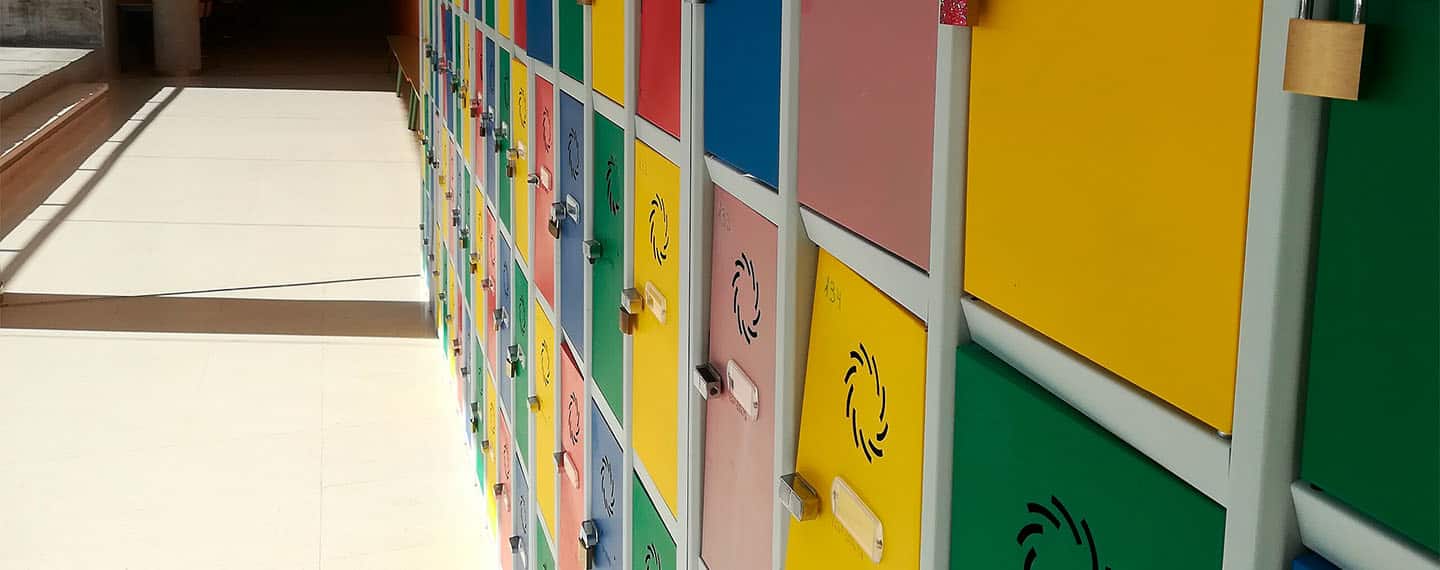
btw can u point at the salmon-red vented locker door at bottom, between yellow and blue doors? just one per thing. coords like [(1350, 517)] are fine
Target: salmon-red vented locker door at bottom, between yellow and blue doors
[(571, 464)]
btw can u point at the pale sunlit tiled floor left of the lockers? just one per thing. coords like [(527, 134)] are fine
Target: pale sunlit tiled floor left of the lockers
[(129, 445)]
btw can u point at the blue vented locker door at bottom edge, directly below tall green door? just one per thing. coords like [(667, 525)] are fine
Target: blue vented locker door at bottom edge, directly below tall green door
[(606, 480)]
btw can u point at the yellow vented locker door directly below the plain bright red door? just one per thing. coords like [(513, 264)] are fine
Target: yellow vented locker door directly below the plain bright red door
[(657, 327)]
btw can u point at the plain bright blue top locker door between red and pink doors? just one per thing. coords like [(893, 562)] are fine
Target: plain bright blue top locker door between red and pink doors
[(744, 86)]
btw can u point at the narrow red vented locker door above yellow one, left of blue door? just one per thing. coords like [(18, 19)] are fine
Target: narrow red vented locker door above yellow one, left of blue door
[(544, 182)]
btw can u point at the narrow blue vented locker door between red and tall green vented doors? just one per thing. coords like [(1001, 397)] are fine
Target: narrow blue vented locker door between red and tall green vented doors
[(572, 235)]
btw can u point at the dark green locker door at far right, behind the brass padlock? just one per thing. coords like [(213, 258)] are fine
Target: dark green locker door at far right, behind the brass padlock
[(1372, 422)]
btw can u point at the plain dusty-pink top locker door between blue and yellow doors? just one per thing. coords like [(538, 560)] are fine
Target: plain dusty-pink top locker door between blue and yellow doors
[(842, 176)]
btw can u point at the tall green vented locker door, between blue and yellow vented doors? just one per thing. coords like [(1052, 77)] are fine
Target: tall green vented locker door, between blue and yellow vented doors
[(610, 270)]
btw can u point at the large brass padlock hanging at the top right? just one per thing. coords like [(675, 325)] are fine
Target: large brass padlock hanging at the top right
[(1324, 58)]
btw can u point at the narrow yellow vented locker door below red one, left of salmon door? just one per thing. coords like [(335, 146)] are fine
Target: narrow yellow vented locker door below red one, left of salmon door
[(545, 385)]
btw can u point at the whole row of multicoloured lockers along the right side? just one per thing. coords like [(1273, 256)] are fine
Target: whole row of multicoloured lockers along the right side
[(1153, 276)]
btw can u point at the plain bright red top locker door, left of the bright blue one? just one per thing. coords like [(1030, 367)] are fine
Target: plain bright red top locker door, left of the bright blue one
[(660, 64)]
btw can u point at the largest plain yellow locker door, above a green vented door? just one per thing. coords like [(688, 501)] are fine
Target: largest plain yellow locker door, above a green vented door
[(1110, 168)]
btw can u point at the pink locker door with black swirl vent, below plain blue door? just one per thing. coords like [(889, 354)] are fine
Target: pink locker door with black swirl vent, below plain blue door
[(741, 421)]
